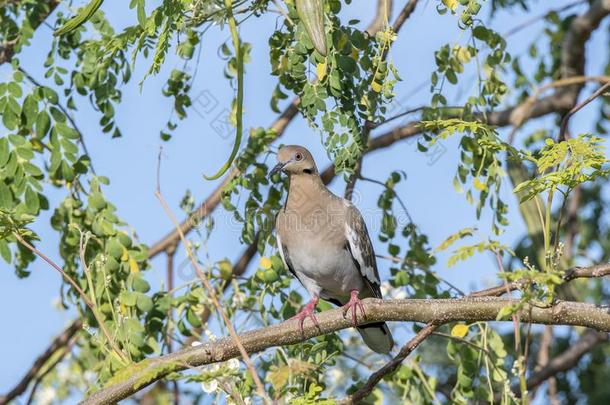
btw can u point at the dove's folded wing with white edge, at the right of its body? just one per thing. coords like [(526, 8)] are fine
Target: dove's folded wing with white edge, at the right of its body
[(359, 245)]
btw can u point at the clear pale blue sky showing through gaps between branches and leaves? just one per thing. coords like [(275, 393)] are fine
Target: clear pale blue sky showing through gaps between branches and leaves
[(130, 162)]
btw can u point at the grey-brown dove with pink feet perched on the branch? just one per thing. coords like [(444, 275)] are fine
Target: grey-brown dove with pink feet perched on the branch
[(324, 243)]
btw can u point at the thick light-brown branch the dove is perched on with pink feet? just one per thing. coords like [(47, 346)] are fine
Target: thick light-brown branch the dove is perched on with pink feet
[(438, 311)]
